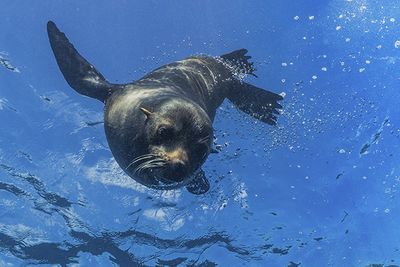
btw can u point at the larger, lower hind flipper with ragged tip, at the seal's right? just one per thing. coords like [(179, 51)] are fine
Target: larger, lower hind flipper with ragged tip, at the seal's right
[(259, 103)]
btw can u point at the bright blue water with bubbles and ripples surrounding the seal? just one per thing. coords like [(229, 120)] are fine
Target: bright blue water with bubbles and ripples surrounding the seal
[(318, 189)]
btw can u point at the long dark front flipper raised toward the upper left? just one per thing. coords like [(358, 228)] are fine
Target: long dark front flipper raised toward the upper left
[(78, 72)]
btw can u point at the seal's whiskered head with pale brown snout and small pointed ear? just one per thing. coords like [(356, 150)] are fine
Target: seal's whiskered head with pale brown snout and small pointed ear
[(179, 137)]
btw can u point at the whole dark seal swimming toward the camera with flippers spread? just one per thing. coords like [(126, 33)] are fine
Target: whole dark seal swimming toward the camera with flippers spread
[(159, 128)]
